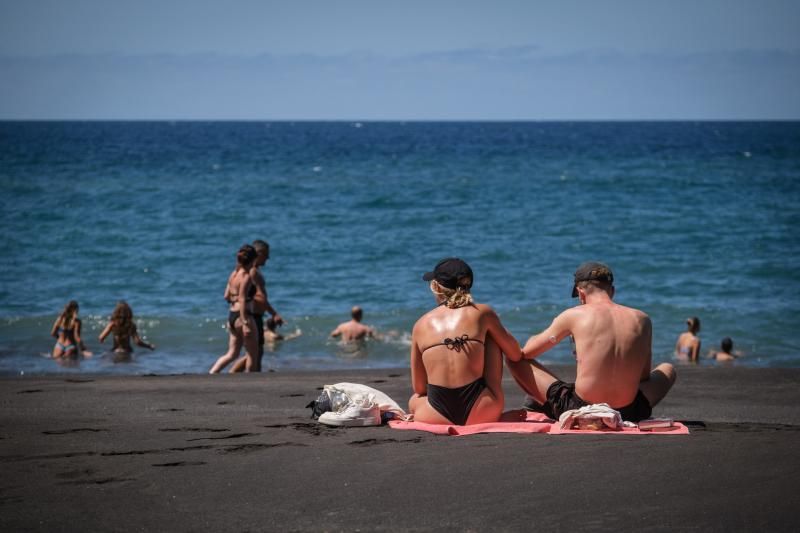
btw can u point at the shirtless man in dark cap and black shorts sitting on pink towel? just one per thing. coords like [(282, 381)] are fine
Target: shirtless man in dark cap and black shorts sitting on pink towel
[(613, 347)]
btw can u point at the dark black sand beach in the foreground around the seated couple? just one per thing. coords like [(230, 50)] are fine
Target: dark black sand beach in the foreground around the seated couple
[(237, 453)]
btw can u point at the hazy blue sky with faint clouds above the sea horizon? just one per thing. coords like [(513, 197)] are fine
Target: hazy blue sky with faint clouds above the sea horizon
[(411, 60)]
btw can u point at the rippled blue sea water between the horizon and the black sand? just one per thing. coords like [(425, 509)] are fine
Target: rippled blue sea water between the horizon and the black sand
[(695, 218)]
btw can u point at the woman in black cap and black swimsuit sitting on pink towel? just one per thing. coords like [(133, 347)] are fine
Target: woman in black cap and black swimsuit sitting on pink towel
[(456, 359)]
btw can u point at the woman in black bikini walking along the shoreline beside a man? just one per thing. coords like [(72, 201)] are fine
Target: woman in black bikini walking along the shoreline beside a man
[(241, 325)]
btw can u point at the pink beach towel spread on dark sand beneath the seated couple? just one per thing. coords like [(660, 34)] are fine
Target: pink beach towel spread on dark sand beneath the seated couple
[(521, 421)]
